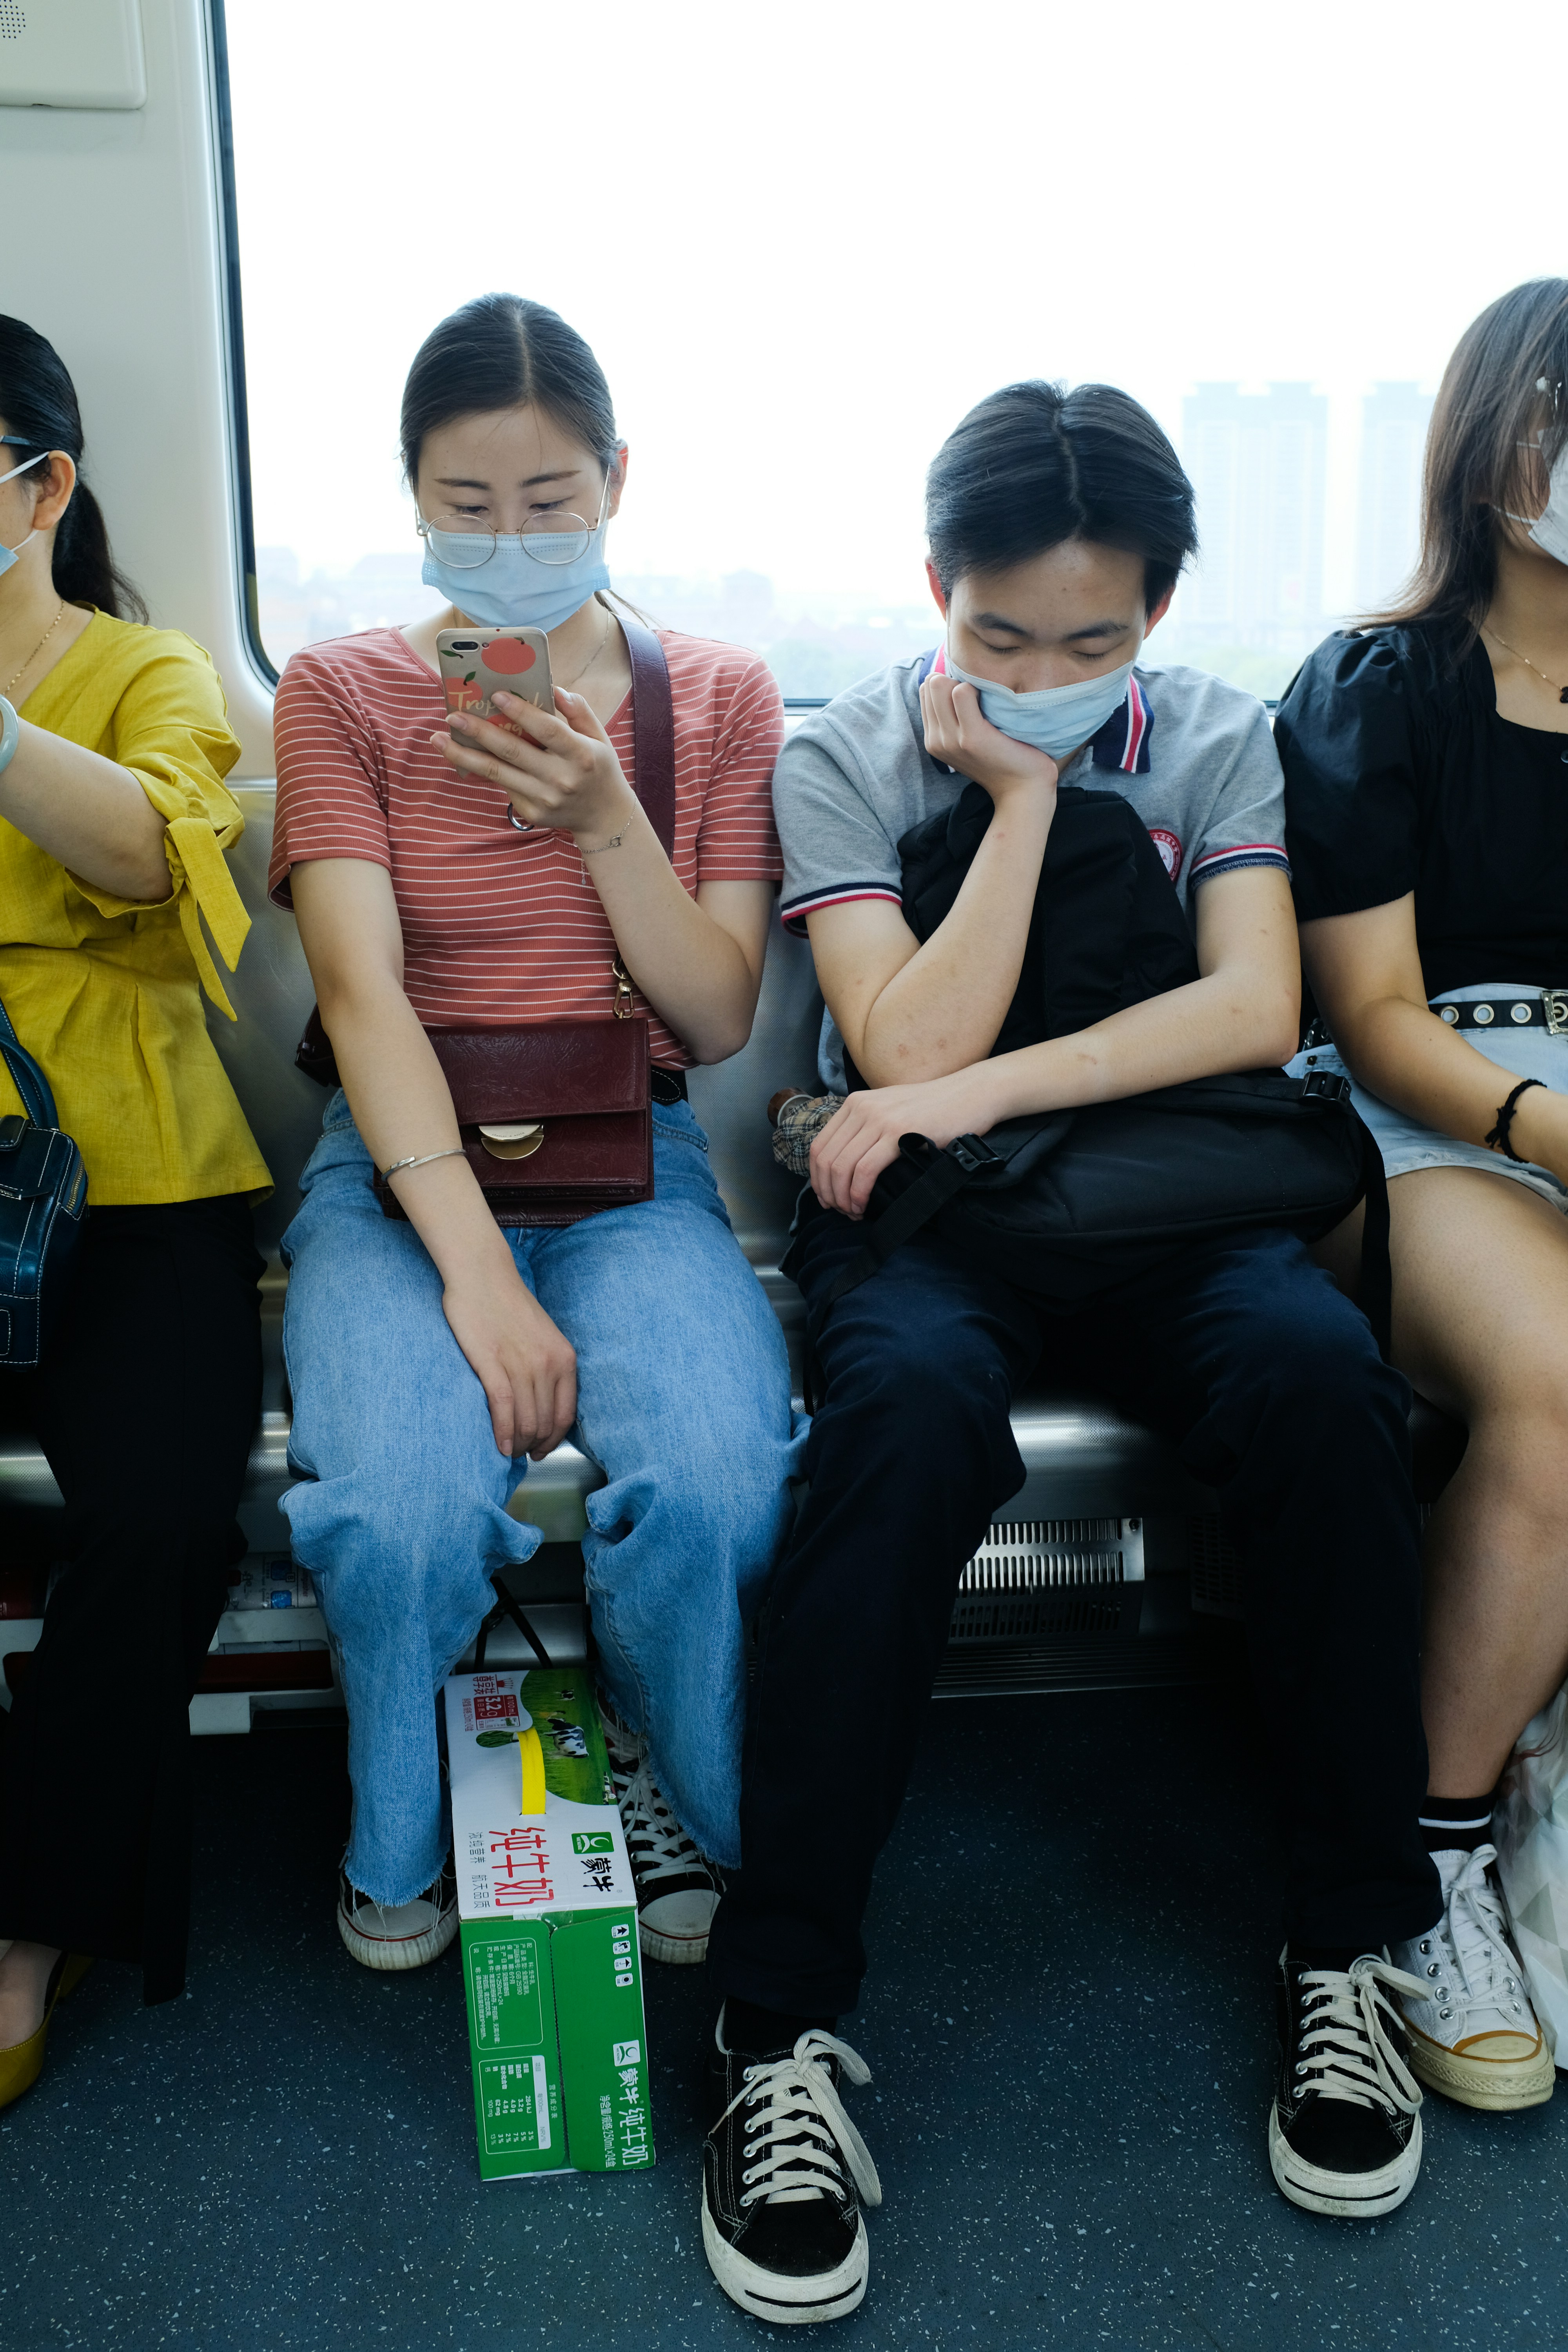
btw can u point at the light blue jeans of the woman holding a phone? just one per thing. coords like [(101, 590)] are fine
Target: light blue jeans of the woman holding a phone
[(401, 1518)]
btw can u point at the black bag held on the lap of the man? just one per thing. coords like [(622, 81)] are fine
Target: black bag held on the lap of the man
[(1071, 1203)]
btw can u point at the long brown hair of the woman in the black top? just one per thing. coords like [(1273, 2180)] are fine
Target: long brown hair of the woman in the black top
[(1506, 385)]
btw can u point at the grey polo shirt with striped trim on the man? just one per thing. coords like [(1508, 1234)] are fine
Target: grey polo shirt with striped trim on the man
[(1191, 754)]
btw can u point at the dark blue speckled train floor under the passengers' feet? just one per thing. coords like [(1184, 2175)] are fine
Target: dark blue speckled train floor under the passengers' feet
[(1071, 2043)]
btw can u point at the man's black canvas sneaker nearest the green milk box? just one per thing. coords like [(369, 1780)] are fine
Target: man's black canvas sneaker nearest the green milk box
[(784, 2174)]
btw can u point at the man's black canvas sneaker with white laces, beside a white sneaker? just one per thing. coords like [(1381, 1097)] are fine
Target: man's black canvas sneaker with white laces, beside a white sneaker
[(1346, 2125)]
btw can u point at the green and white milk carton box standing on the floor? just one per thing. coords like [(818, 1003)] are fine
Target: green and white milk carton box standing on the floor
[(549, 1930)]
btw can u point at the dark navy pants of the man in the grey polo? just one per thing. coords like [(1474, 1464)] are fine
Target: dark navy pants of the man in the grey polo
[(1275, 1391)]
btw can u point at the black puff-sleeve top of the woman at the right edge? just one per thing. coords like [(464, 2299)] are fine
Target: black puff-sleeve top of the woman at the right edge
[(1402, 777)]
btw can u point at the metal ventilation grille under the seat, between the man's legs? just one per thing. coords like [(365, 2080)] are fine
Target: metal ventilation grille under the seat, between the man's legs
[(1036, 1577)]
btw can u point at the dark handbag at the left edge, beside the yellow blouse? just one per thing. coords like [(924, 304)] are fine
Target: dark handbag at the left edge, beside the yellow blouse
[(43, 1203)]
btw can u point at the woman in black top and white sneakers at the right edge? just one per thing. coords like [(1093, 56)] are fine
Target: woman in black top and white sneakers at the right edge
[(1428, 827)]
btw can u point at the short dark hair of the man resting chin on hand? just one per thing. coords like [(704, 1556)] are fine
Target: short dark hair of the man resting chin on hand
[(1033, 467)]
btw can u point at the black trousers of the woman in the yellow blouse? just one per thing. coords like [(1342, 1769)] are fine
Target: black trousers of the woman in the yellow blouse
[(145, 1405)]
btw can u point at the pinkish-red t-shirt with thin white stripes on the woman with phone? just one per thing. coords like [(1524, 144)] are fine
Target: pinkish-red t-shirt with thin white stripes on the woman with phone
[(502, 926)]
